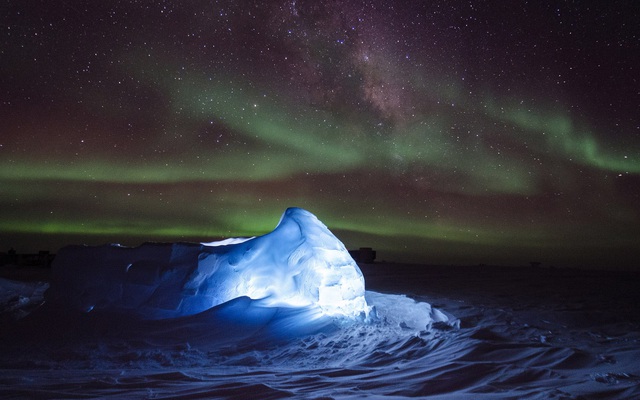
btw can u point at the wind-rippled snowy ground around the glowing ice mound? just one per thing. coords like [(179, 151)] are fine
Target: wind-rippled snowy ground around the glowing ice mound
[(590, 325)]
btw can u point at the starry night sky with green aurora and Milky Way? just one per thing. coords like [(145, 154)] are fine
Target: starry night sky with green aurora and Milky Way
[(455, 132)]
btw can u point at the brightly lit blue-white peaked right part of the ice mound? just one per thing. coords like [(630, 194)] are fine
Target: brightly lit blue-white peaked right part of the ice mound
[(300, 263)]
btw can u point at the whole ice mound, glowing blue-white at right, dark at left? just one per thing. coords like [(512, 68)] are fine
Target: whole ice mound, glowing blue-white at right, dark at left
[(300, 264)]
